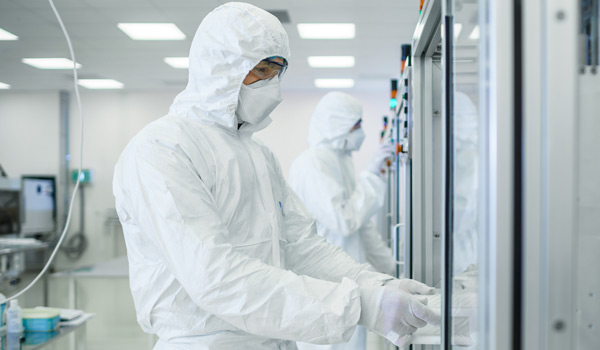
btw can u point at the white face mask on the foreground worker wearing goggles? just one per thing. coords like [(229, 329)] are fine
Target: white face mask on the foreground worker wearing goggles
[(256, 101)]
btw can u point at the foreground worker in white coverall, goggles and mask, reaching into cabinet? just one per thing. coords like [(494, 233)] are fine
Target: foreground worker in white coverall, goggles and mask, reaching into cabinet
[(222, 253)]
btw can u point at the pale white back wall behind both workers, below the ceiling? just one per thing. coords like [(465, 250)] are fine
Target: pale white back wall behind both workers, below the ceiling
[(29, 143)]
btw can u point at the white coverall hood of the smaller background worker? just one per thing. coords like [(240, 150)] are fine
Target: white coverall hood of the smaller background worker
[(335, 114)]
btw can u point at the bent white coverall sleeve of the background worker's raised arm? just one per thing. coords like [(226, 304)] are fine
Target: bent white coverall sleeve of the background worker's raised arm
[(331, 204)]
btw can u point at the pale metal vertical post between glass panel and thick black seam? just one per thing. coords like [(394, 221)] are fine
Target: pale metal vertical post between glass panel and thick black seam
[(497, 235)]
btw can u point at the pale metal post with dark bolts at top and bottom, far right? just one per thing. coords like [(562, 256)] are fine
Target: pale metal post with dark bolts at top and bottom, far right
[(562, 110)]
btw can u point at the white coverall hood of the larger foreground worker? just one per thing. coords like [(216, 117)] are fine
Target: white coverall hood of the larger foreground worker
[(222, 55)]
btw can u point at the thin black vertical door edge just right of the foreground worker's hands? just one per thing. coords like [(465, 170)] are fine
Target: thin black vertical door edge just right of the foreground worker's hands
[(448, 172)]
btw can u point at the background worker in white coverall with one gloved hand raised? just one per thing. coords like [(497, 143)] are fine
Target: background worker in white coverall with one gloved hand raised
[(323, 177)]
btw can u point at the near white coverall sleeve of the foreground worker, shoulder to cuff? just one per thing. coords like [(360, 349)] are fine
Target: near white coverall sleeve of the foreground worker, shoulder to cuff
[(176, 209)]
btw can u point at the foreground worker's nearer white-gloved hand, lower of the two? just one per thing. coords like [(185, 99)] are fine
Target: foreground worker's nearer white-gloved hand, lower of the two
[(394, 314)]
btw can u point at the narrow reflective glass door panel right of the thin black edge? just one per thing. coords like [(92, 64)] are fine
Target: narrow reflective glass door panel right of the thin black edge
[(463, 169)]
